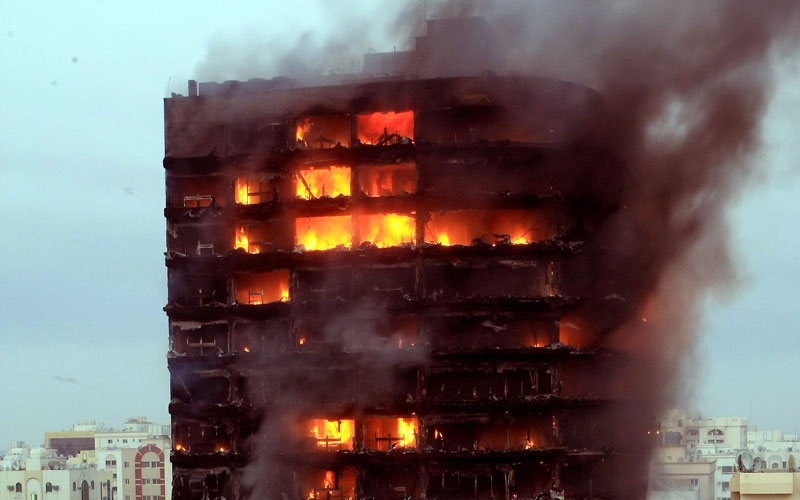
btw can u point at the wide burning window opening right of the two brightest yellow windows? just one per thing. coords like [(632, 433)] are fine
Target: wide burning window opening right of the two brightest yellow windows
[(515, 227)]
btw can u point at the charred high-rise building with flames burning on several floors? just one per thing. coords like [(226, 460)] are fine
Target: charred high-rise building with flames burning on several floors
[(377, 289)]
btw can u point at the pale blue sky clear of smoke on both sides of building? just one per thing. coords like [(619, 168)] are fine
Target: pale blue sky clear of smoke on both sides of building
[(82, 280)]
